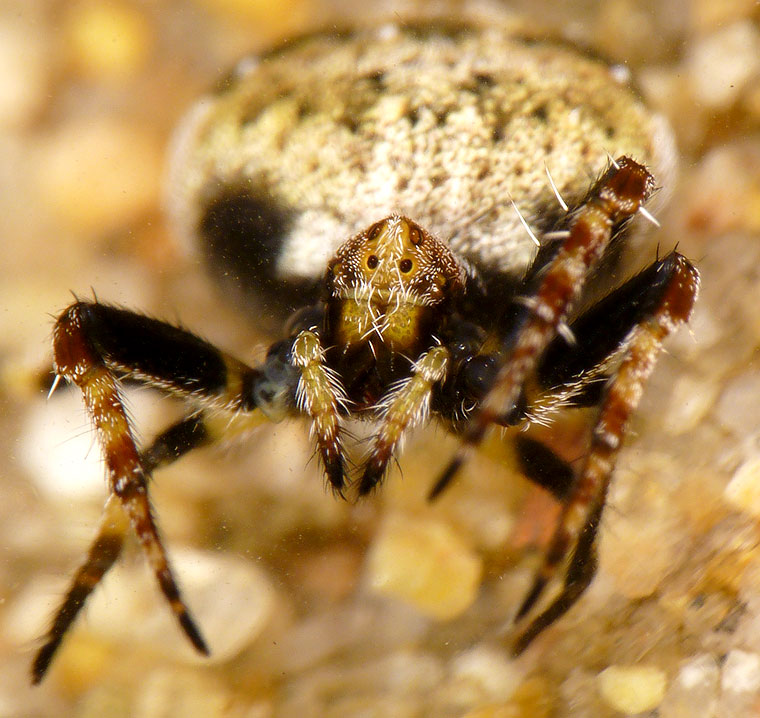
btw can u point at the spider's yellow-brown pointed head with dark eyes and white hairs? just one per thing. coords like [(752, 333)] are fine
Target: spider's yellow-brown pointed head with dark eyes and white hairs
[(389, 280)]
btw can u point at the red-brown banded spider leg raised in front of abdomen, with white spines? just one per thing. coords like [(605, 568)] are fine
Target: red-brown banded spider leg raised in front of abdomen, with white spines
[(615, 198)]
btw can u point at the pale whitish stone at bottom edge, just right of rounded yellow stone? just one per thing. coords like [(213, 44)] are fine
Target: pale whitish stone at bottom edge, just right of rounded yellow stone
[(694, 692)]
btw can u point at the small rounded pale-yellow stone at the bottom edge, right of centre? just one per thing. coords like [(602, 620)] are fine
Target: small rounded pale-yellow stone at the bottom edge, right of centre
[(632, 689)]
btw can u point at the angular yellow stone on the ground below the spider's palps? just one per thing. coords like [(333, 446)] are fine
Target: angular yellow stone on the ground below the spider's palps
[(424, 562)]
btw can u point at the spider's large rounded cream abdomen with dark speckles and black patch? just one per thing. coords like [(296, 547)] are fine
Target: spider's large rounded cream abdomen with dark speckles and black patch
[(445, 124)]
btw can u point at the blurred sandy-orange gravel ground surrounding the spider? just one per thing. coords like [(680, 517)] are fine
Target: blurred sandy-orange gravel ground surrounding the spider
[(390, 608)]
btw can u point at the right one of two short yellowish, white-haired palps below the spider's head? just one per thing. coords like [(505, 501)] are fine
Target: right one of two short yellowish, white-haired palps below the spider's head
[(403, 408)]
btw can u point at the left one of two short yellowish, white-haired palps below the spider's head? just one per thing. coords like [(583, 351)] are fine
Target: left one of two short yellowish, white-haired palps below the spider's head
[(321, 396)]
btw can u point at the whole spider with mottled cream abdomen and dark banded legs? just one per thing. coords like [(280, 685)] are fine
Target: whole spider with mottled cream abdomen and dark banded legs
[(381, 186)]
